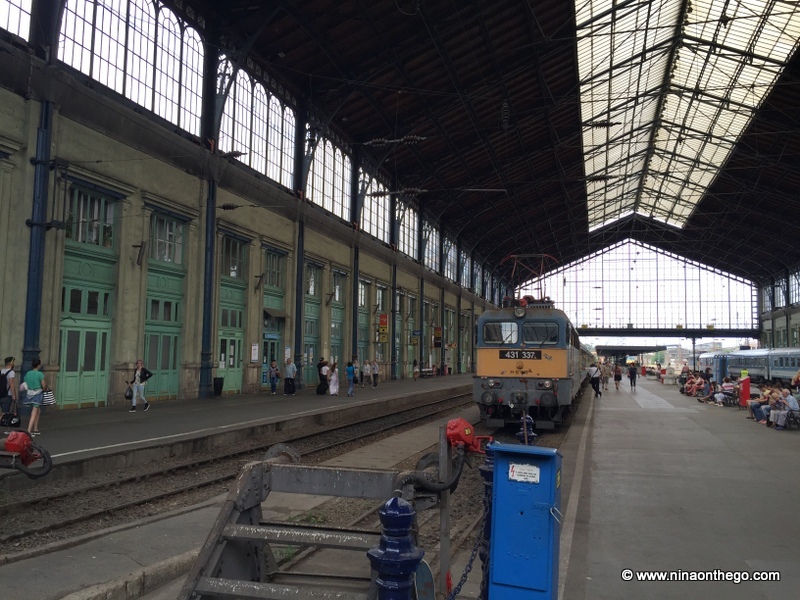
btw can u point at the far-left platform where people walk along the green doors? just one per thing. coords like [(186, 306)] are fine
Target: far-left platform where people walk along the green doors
[(111, 437)]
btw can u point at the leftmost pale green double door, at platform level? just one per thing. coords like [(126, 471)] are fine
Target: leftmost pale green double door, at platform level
[(82, 380)]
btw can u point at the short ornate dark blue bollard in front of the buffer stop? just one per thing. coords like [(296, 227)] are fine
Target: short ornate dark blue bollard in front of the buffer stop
[(396, 557)]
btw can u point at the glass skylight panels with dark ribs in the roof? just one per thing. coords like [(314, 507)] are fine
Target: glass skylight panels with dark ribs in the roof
[(666, 94)]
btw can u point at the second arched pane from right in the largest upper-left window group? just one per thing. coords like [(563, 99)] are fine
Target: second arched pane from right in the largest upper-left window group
[(168, 67)]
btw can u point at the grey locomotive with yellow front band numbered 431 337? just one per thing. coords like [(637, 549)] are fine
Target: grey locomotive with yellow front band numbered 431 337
[(529, 361)]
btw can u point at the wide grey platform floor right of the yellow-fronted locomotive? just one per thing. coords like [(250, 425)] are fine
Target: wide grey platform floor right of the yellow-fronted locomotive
[(656, 482)]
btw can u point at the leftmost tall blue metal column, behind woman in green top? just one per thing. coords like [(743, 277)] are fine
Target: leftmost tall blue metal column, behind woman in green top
[(41, 179)]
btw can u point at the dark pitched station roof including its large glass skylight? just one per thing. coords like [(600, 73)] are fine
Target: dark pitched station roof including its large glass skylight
[(527, 128)]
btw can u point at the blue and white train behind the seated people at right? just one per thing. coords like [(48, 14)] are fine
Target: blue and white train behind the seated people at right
[(778, 365)]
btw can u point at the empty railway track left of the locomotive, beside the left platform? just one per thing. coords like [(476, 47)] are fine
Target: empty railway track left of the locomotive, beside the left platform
[(57, 514)]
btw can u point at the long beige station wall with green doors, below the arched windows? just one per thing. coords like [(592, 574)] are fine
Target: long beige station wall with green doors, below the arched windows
[(125, 279)]
